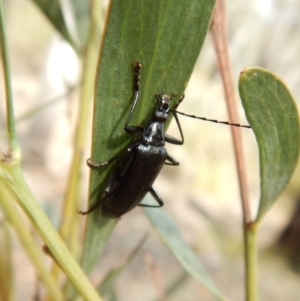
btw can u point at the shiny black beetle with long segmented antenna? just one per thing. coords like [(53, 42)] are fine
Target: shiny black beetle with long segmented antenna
[(143, 159)]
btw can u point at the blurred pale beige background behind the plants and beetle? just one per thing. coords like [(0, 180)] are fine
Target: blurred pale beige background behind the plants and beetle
[(202, 193)]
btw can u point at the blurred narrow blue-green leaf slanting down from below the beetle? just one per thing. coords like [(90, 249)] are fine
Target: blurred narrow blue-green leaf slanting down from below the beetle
[(168, 232)]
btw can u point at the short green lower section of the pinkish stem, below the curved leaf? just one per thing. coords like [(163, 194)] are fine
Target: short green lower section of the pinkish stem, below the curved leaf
[(250, 237)]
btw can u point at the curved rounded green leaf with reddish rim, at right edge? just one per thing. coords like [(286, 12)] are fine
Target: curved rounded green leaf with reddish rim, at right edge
[(273, 115)]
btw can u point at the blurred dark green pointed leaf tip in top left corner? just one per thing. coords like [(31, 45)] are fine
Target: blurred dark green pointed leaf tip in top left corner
[(53, 12)]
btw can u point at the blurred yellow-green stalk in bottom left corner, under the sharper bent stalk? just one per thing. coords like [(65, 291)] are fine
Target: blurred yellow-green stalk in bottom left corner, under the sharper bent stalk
[(29, 245)]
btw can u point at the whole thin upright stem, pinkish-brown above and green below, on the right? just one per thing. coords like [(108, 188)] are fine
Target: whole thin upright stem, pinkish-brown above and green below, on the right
[(219, 35)]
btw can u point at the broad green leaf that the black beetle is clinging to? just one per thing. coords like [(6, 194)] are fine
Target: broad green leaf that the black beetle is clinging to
[(166, 36)]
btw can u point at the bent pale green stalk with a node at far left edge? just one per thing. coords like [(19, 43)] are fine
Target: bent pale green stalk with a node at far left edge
[(12, 179)]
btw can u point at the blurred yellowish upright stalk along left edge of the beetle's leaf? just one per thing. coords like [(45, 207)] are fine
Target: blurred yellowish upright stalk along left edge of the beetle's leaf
[(70, 216)]
